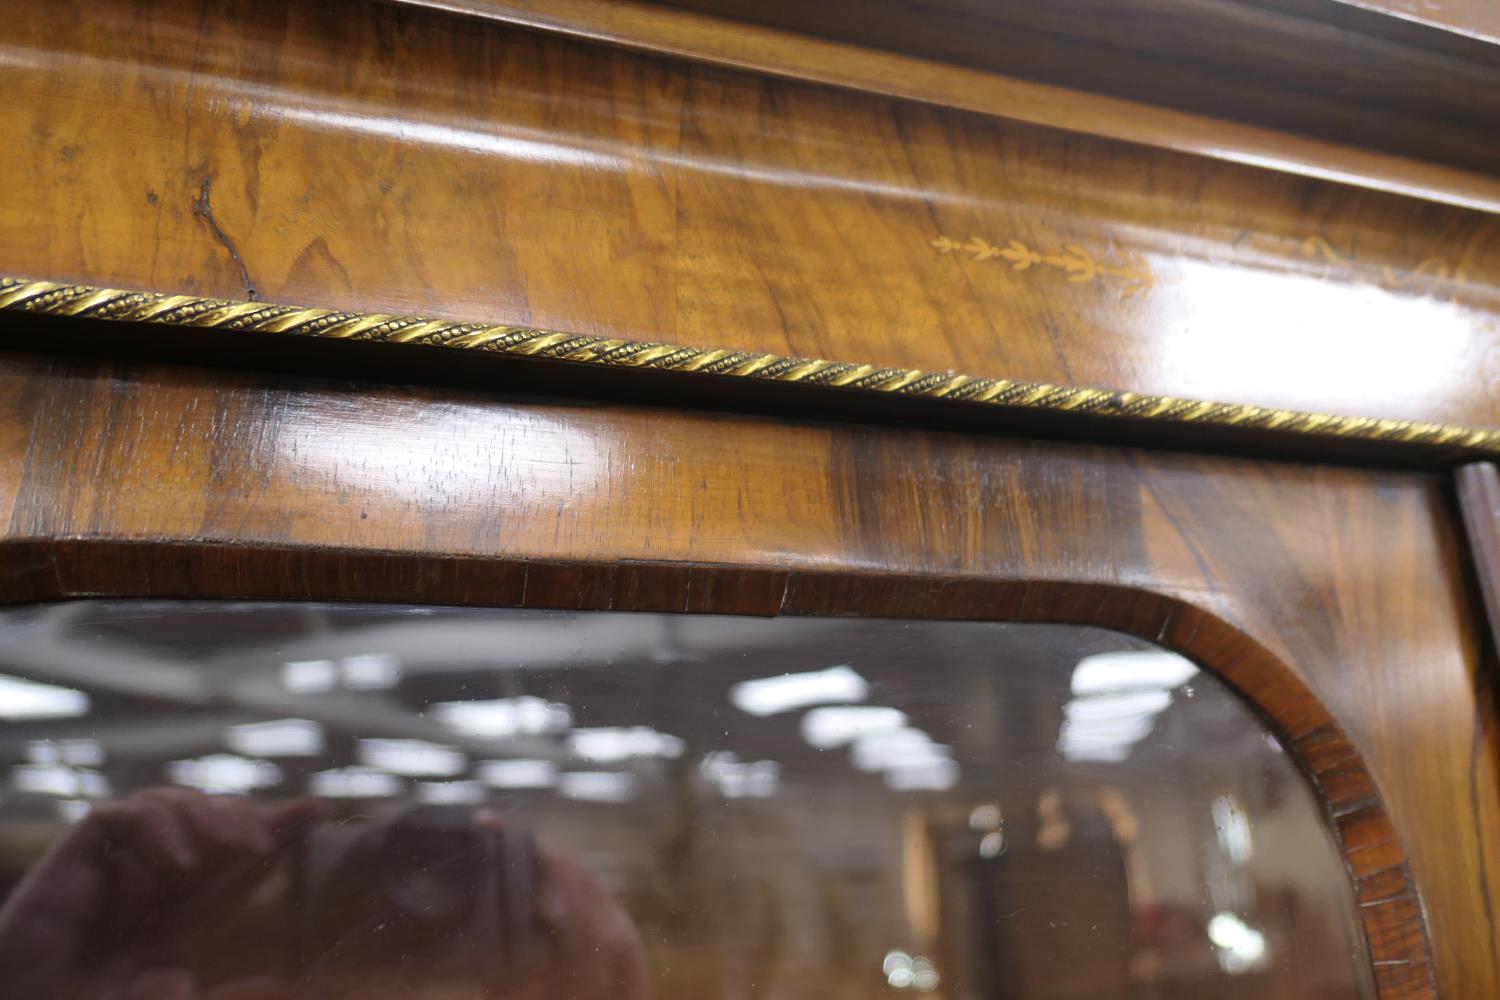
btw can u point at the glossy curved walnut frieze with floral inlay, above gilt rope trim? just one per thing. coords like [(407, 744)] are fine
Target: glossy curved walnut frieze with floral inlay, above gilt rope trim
[(521, 179)]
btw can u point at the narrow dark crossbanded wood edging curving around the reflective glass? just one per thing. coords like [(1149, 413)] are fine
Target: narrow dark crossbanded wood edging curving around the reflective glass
[(1387, 894)]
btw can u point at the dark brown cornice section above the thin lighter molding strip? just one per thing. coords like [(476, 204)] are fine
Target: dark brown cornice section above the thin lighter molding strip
[(1285, 64)]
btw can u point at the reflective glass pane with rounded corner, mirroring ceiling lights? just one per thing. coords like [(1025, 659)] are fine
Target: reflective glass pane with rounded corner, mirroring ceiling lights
[(352, 801)]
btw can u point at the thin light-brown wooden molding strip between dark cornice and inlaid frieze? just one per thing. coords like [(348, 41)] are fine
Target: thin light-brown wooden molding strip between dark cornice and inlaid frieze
[(767, 50)]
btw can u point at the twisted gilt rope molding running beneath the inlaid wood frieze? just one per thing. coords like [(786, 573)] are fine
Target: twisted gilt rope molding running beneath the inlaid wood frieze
[(85, 302)]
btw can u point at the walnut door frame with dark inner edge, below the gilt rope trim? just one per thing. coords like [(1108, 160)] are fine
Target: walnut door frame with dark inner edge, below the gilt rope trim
[(158, 481)]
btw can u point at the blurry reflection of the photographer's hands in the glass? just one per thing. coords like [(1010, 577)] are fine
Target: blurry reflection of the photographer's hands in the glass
[(109, 911)]
